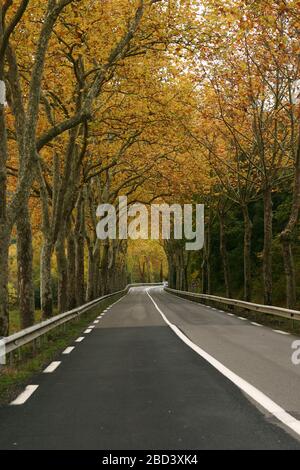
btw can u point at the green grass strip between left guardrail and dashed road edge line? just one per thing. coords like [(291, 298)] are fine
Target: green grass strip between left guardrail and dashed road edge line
[(35, 356)]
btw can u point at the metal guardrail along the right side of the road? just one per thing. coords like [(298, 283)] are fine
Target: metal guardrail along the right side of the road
[(268, 309)]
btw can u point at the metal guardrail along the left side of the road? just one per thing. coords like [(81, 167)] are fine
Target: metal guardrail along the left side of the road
[(34, 332)]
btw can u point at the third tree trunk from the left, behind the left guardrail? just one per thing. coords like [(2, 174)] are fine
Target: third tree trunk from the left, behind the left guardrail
[(46, 282)]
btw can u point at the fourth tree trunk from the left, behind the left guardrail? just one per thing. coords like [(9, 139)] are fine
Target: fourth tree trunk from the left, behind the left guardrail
[(62, 272)]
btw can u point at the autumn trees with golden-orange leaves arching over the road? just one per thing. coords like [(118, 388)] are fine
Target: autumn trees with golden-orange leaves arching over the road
[(175, 101)]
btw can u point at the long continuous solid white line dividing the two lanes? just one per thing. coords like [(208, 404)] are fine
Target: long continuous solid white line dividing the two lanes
[(253, 392)]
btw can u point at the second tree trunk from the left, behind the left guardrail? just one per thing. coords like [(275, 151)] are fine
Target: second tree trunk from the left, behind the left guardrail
[(25, 275)]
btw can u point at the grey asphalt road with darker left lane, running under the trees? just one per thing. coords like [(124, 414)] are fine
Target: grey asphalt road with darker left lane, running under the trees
[(132, 383)]
